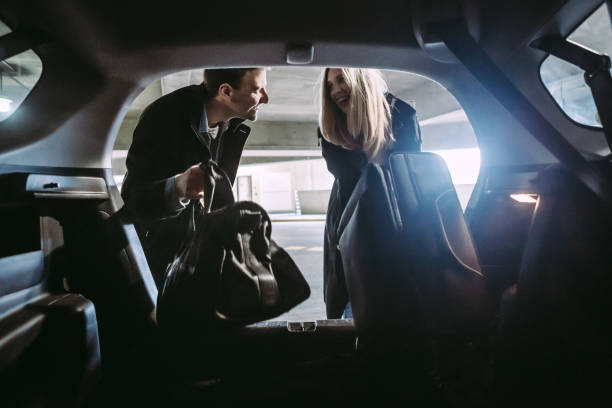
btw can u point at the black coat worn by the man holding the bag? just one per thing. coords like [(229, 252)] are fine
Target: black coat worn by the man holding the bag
[(166, 143)]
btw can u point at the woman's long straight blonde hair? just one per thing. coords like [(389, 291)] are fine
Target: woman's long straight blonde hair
[(367, 125)]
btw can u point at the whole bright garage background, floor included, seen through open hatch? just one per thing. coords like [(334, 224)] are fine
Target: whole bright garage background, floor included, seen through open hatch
[(282, 168)]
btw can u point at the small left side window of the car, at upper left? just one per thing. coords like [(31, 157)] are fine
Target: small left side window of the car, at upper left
[(18, 75)]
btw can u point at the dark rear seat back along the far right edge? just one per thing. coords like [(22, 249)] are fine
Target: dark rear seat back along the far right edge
[(555, 326)]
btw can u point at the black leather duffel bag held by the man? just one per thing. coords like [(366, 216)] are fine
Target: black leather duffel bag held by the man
[(228, 270)]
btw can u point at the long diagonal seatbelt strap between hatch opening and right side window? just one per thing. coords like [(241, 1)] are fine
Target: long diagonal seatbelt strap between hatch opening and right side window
[(457, 38)]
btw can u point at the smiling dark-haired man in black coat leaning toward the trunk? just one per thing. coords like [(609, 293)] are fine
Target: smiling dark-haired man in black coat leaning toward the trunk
[(175, 134)]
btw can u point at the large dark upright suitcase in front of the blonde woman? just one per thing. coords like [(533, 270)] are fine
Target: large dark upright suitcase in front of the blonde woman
[(409, 261)]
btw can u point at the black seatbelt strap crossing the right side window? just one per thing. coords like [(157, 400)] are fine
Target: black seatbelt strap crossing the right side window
[(596, 68)]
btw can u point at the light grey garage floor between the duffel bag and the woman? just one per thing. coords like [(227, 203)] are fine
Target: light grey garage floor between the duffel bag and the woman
[(303, 240)]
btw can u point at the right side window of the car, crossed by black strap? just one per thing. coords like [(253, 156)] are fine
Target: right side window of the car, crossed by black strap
[(565, 81)]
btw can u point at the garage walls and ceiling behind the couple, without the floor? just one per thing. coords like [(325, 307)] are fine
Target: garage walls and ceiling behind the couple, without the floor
[(292, 113)]
